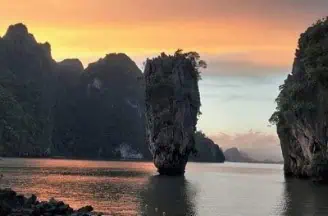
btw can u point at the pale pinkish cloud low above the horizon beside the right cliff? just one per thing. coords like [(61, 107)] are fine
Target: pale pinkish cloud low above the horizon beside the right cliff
[(258, 145)]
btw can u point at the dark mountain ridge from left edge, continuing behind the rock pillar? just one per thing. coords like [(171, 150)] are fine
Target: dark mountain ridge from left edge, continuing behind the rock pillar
[(63, 110)]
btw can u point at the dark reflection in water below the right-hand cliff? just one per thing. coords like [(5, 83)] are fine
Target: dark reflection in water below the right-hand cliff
[(303, 198)]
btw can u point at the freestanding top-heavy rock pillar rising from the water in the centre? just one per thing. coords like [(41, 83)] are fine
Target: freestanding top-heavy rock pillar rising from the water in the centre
[(172, 106)]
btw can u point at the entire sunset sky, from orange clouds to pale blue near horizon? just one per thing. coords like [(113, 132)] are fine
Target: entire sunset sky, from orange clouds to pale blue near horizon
[(249, 46)]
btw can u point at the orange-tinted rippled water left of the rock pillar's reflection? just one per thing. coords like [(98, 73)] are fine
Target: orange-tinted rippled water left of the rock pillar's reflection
[(111, 187)]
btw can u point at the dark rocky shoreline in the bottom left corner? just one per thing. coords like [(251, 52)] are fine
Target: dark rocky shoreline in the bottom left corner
[(13, 204)]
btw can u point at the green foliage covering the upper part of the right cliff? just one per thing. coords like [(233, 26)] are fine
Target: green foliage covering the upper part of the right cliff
[(301, 91)]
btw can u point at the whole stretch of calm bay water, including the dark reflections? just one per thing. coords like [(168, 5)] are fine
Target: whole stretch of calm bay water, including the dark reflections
[(133, 188)]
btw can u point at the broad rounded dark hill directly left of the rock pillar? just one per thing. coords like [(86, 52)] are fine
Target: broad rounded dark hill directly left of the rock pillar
[(113, 107)]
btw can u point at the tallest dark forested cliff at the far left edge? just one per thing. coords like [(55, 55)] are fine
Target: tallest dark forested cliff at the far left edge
[(26, 74)]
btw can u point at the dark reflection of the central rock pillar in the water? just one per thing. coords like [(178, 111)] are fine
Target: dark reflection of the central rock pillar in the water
[(172, 195)]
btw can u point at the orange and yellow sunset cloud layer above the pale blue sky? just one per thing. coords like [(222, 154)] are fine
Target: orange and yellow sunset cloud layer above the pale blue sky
[(236, 37)]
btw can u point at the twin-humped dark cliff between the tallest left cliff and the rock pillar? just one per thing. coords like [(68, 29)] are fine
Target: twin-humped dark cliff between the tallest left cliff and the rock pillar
[(100, 109)]
